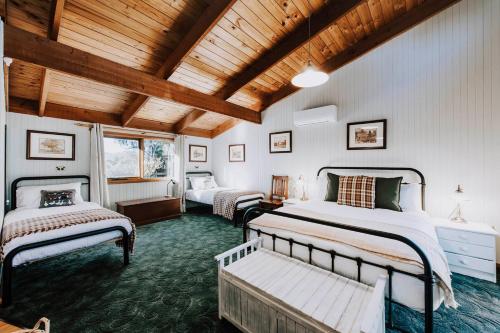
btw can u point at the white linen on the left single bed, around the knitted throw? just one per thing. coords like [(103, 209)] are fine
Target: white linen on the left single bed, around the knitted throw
[(56, 249)]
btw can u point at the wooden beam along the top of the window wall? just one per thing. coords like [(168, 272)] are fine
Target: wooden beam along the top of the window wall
[(25, 106)]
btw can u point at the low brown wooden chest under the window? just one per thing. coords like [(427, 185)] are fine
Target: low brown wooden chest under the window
[(144, 211)]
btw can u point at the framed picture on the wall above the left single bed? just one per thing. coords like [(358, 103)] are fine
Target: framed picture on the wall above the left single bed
[(50, 146)]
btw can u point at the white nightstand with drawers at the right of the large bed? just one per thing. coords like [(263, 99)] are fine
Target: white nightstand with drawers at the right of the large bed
[(469, 247)]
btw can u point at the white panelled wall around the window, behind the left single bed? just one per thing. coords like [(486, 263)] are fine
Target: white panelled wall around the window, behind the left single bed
[(19, 166)]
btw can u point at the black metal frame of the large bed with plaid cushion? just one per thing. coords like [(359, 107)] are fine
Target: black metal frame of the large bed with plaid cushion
[(427, 276)]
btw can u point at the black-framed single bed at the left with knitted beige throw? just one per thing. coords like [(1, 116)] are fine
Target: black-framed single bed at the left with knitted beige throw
[(30, 233)]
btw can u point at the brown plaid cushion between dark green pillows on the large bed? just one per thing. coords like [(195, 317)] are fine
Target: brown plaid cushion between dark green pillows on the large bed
[(357, 191)]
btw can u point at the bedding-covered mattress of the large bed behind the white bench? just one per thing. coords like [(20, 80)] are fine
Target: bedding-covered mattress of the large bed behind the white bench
[(406, 289)]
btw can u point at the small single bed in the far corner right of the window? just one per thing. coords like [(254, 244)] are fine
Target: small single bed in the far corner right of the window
[(225, 201)]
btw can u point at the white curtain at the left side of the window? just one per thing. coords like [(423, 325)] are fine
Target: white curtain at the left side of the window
[(98, 181)]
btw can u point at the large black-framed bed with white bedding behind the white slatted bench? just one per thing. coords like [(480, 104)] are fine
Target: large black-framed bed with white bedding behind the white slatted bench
[(362, 243)]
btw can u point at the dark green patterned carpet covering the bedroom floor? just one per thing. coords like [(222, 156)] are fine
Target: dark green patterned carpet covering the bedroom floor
[(171, 286)]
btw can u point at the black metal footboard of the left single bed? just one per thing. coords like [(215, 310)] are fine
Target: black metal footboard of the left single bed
[(7, 265)]
